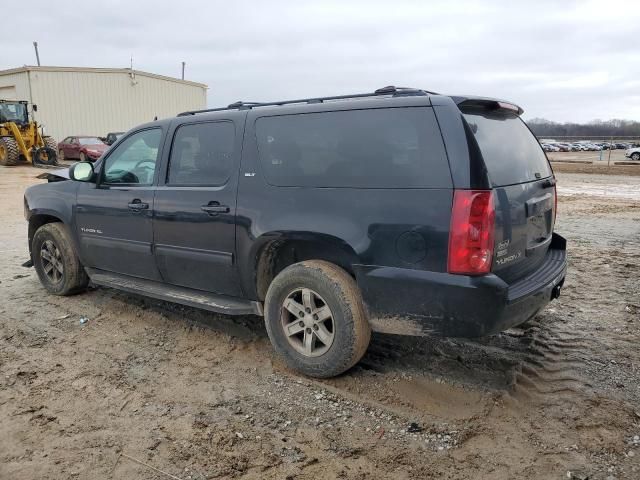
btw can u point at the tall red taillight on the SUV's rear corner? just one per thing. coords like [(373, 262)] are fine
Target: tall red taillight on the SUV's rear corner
[(471, 233)]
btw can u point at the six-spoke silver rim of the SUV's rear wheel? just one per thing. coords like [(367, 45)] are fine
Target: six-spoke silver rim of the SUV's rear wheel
[(307, 322)]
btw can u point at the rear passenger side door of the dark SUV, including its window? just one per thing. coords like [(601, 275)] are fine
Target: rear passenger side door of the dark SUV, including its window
[(194, 223)]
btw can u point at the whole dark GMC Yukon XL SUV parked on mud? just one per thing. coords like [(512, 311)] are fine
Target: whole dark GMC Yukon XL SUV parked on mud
[(400, 211)]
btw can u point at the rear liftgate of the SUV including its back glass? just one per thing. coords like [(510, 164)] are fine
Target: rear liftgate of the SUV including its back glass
[(524, 189)]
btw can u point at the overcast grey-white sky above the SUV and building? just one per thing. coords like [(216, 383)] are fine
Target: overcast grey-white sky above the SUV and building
[(563, 60)]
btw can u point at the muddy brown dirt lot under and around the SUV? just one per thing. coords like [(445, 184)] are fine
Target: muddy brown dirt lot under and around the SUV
[(144, 386)]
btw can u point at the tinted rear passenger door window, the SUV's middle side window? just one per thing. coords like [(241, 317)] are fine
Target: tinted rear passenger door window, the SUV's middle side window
[(202, 154)]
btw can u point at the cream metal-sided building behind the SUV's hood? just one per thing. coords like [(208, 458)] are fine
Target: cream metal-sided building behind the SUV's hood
[(95, 101)]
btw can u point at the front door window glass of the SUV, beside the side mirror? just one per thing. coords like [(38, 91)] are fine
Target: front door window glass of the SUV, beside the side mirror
[(133, 162)]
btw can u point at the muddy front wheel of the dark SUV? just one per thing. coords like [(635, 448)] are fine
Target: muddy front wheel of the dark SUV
[(56, 262)]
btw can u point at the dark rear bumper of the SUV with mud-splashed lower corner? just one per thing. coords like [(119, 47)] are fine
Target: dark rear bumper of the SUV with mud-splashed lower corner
[(417, 302)]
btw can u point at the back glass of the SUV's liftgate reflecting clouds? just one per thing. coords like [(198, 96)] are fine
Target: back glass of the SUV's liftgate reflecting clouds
[(511, 152)]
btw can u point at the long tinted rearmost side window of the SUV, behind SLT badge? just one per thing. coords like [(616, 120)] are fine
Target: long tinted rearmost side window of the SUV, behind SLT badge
[(376, 148)]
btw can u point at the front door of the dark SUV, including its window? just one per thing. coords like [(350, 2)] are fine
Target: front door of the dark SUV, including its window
[(114, 216)]
